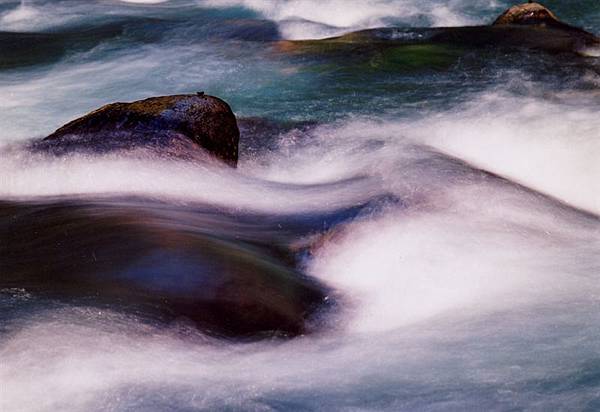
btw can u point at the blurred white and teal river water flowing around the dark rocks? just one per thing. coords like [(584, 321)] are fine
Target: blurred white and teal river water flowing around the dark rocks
[(450, 199)]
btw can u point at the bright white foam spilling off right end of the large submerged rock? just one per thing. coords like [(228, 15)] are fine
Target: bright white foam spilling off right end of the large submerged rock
[(468, 257)]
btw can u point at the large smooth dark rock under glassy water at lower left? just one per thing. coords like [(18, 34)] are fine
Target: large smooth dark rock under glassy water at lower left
[(157, 260)]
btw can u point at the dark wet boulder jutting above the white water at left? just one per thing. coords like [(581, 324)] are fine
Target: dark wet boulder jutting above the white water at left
[(183, 126)]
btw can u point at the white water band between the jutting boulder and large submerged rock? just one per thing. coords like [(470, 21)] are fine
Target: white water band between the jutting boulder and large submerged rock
[(24, 177)]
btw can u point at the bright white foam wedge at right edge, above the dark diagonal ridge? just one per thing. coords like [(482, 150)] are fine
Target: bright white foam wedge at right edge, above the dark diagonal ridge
[(551, 147)]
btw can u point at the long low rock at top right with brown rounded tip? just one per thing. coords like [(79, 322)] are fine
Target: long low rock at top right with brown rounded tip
[(525, 26)]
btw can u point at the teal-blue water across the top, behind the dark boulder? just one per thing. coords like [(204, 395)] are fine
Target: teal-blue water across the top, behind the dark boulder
[(131, 51)]
